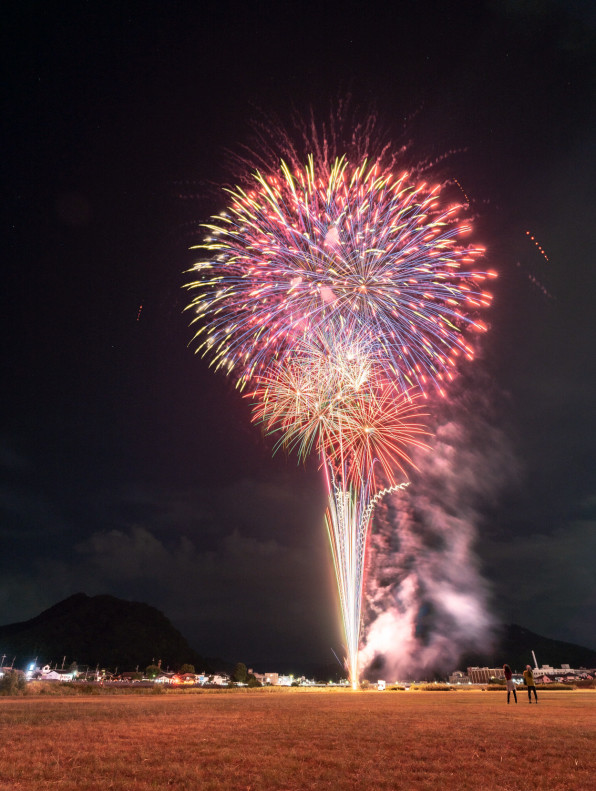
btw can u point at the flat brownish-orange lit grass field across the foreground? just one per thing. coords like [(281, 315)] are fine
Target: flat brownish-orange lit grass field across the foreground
[(292, 739)]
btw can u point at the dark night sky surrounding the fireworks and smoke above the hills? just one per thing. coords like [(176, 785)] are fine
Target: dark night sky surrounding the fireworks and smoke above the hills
[(129, 467)]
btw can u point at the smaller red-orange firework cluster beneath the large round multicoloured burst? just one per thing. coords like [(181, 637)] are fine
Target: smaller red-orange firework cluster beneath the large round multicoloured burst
[(333, 395)]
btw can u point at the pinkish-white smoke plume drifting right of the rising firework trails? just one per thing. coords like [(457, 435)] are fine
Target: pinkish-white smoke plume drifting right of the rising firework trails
[(426, 603)]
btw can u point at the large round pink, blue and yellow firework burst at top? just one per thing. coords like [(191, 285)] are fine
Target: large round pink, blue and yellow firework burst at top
[(307, 248)]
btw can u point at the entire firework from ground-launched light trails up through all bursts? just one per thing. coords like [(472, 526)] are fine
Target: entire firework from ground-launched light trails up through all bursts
[(336, 297)]
